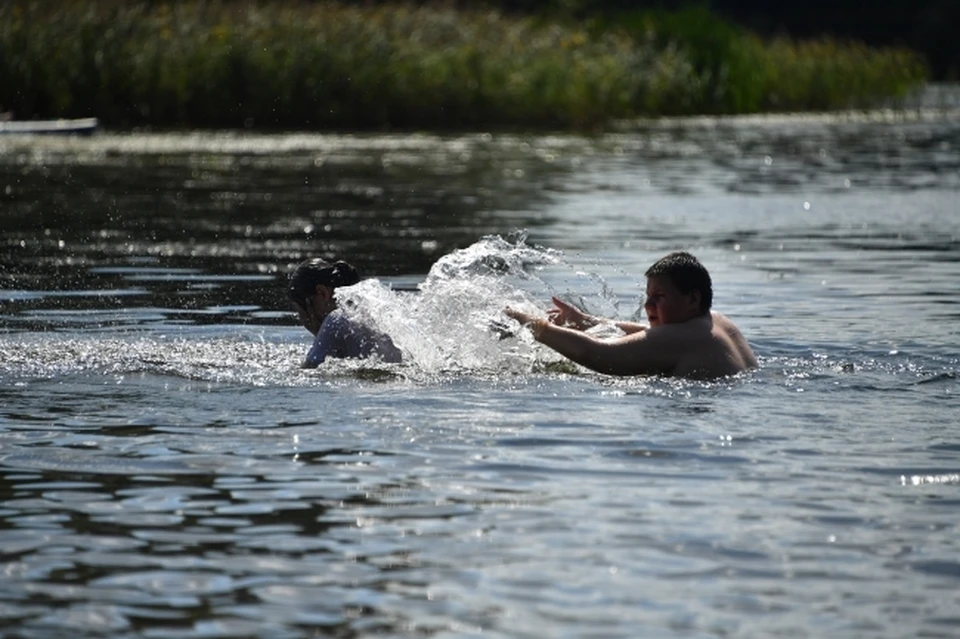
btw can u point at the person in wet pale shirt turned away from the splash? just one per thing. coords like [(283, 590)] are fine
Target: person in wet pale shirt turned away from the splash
[(312, 291)]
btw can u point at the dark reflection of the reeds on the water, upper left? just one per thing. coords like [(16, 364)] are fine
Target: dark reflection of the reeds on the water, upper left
[(177, 222)]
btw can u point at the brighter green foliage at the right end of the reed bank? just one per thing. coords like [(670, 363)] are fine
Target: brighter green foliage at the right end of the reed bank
[(734, 71)]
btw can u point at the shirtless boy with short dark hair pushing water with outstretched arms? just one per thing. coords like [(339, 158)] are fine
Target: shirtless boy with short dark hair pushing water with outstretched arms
[(684, 337)]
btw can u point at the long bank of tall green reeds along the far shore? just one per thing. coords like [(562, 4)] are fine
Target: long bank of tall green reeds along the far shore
[(333, 67)]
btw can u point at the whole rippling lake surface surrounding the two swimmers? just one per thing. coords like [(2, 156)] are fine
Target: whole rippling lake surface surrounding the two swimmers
[(168, 470)]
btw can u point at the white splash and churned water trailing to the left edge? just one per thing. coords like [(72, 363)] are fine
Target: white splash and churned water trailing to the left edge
[(452, 324)]
